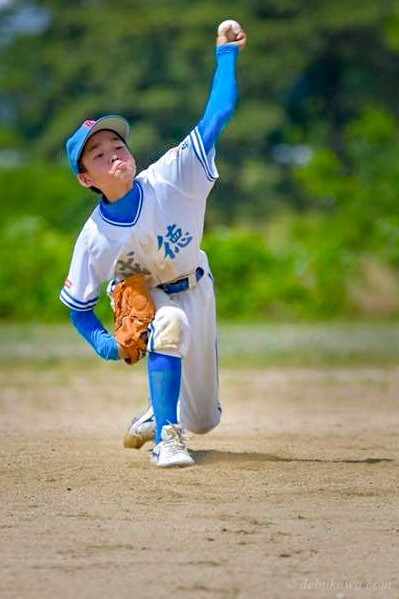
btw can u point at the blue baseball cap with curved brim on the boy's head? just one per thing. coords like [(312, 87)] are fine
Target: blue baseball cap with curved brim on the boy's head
[(75, 143)]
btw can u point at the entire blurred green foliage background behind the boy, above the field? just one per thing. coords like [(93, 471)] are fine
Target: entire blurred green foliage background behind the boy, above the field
[(303, 222)]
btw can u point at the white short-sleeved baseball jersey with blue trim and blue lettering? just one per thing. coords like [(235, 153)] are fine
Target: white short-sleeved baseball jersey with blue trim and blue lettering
[(163, 238)]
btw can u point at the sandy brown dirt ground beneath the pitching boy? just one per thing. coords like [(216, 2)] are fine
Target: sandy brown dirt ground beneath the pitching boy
[(294, 495)]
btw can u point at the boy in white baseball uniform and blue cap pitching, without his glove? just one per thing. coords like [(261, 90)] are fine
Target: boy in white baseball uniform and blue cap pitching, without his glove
[(152, 223)]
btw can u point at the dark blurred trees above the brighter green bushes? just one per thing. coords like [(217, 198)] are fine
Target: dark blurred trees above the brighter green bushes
[(309, 70)]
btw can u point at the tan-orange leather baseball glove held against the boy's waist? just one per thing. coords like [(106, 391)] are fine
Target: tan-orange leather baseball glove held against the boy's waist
[(133, 312)]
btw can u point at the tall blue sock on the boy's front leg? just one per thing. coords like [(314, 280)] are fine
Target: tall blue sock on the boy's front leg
[(164, 375)]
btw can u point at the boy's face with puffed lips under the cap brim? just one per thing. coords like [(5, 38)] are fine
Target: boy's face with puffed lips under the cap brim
[(107, 164)]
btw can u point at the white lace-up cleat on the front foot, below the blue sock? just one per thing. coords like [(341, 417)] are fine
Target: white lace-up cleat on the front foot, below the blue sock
[(171, 451)]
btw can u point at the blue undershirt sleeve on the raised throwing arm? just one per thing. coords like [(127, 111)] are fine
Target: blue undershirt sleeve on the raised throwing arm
[(222, 98)]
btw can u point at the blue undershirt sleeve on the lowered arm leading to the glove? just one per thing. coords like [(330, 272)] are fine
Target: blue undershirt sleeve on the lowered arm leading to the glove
[(90, 327)]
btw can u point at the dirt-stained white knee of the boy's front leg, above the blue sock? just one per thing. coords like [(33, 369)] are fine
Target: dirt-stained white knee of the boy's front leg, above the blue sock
[(169, 331)]
